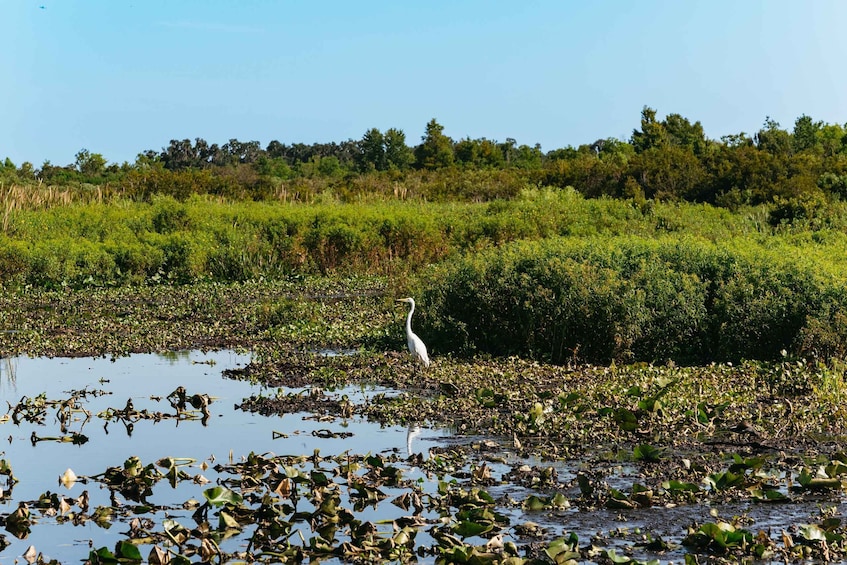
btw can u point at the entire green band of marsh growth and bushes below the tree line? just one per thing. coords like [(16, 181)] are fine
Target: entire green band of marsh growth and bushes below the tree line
[(548, 275)]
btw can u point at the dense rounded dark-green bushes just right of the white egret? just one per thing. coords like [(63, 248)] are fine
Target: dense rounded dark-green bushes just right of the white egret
[(634, 299)]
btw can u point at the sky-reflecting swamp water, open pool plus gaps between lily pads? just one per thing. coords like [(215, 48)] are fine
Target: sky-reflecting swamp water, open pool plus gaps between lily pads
[(38, 459)]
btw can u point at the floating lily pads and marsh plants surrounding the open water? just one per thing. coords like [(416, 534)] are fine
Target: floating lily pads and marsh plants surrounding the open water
[(717, 463)]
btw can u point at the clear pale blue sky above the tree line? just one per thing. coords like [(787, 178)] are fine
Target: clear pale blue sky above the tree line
[(118, 77)]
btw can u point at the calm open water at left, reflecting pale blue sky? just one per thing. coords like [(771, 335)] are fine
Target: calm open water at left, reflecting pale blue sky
[(229, 434)]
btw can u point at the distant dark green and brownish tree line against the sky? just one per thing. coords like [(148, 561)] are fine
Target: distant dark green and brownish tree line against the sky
[(668, 159)]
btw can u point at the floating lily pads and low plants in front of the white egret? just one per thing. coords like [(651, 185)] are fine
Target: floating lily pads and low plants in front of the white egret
[(611, 493)]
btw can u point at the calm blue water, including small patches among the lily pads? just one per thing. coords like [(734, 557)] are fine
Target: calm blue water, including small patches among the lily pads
[(231, 434)]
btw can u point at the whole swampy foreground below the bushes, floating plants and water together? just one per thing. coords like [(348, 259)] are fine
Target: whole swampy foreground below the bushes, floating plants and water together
[(608, 464)]
